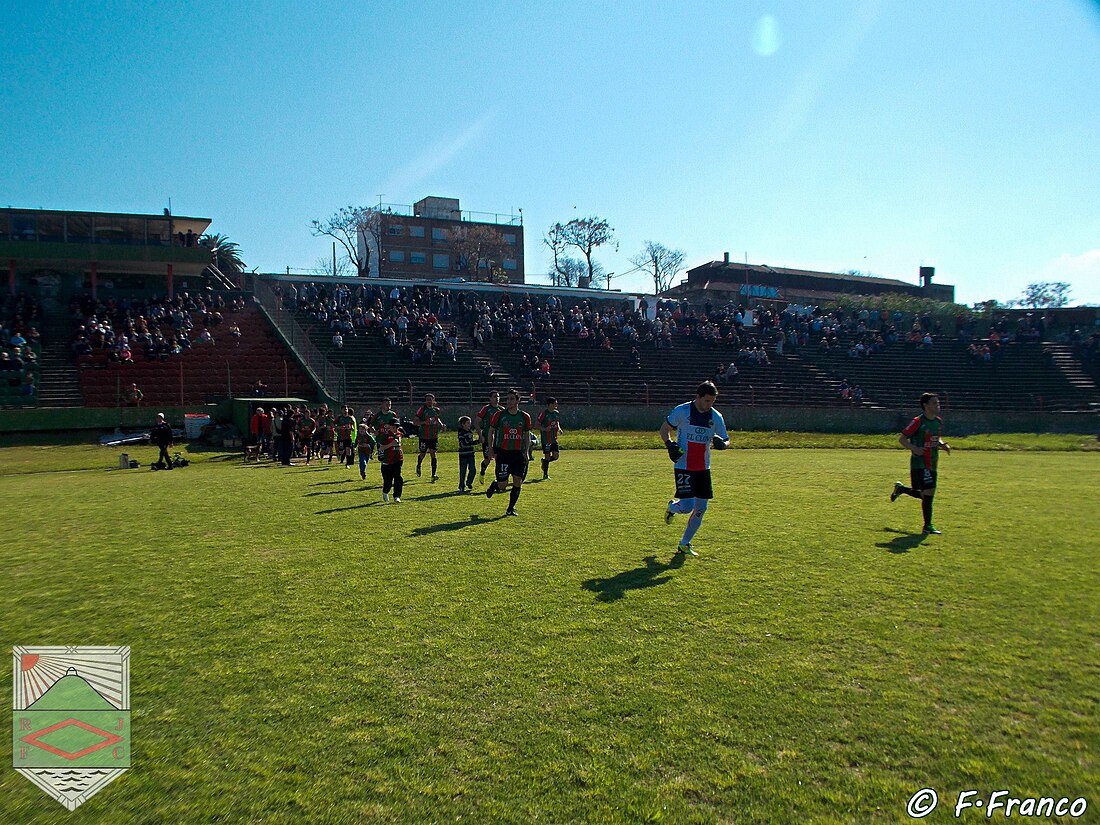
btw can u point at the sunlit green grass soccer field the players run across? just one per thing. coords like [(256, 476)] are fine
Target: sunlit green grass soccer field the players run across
[(302, 653)]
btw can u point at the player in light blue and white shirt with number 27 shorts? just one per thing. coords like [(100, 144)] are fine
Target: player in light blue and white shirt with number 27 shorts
[(700, 427)]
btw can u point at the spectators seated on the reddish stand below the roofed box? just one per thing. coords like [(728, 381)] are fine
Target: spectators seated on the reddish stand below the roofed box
[(123, 331)]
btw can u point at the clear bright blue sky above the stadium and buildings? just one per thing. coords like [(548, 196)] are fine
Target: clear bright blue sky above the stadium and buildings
[(866, 135)]
